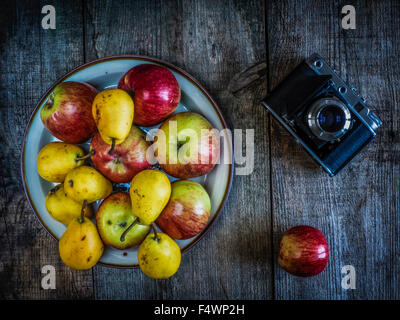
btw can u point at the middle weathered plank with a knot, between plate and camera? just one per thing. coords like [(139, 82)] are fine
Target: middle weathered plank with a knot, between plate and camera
[(213, 41)]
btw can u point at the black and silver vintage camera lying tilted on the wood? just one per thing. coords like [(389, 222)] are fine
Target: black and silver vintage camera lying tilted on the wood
[(326, 116)]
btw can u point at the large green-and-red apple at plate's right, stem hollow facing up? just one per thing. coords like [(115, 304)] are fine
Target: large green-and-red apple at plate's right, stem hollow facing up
[(191, 148)]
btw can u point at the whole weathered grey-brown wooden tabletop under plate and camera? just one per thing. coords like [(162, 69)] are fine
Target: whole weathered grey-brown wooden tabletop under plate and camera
[(215, 41)]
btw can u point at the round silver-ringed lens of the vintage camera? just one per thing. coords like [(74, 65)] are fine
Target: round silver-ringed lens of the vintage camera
[(329, 119)]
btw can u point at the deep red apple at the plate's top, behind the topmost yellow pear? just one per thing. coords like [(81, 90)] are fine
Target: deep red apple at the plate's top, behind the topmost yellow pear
[(156, 93)]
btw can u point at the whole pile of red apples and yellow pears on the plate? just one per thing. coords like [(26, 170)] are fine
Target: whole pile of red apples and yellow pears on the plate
[(76, 112)]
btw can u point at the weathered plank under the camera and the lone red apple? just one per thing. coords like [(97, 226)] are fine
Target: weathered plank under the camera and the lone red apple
[(358, 210)]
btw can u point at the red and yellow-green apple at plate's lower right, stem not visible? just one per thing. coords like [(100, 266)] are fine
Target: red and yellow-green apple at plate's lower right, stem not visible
[(187, 211)]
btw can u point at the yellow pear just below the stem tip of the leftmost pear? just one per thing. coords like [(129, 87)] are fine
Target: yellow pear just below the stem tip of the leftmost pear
[(86, 184)]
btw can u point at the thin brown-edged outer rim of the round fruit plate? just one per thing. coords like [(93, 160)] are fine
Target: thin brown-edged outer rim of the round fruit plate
[(83, 66)]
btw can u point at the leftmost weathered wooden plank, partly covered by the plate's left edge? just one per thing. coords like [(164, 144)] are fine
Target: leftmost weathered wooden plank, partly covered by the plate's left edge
[(31, 59)]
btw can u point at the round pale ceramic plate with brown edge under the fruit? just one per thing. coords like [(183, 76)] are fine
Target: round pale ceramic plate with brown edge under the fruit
[(105, 73)]
